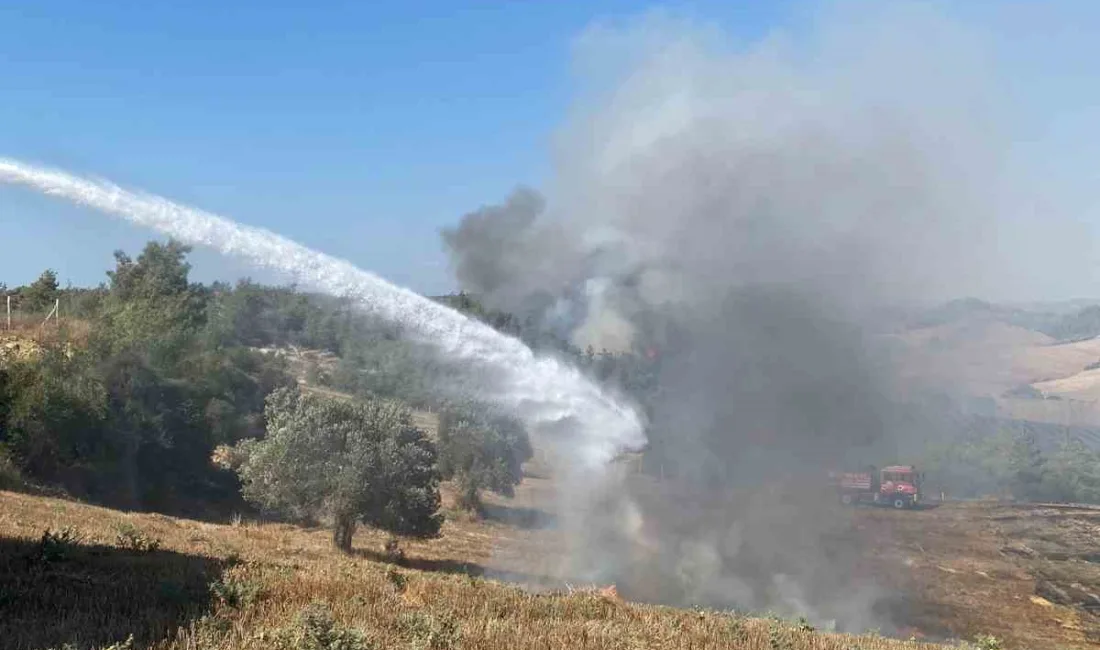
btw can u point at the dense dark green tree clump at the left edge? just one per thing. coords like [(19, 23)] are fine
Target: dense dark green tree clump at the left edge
[(130, 416)]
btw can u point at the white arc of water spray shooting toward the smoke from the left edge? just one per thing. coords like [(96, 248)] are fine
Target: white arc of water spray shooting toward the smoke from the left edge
[(552, 398)]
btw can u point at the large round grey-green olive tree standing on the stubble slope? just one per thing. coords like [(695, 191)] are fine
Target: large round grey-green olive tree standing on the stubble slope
[(343, 460)]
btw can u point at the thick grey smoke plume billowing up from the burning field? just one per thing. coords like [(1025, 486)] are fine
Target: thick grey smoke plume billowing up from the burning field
[(754, 215)]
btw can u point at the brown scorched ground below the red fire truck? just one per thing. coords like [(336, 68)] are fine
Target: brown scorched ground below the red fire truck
[(1027, 575)]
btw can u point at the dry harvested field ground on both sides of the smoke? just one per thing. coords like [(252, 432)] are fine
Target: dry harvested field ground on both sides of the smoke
[(179, 585)]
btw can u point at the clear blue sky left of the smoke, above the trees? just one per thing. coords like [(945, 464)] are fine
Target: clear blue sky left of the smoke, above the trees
[(357, 128)]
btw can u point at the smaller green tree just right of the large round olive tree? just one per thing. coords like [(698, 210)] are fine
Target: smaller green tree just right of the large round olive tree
[(481, 453)]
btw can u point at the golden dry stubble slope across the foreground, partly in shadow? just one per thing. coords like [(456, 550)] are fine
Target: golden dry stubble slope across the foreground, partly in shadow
[(95, 593)]
